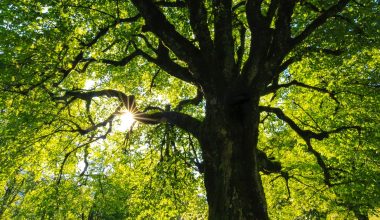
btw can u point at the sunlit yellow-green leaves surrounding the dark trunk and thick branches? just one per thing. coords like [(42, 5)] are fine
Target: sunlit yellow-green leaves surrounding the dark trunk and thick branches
[(49, 171)]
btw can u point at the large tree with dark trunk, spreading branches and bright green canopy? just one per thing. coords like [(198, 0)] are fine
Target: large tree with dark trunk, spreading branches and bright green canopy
[(257, 91)]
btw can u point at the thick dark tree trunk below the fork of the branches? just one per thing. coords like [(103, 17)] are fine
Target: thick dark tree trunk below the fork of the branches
[(229, 144)]
